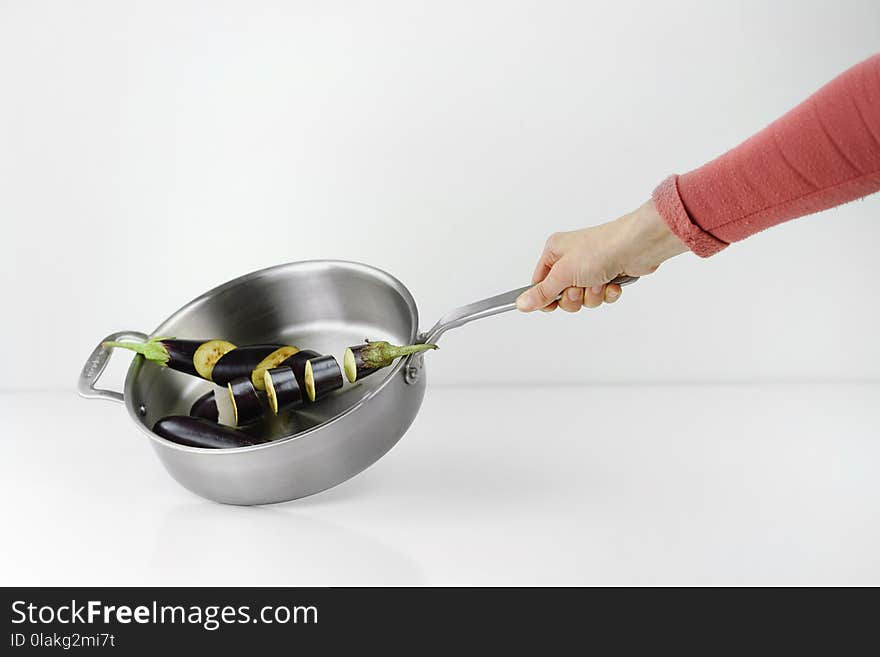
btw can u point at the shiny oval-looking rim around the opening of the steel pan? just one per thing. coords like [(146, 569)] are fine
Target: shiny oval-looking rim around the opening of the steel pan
[(393, 371)]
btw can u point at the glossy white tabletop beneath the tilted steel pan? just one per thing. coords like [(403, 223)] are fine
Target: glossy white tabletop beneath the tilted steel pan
[(747, 484)]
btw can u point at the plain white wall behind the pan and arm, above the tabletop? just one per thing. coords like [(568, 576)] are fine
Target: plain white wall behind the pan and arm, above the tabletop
[(151, 150)]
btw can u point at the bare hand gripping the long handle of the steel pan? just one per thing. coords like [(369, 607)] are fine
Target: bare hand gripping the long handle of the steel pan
[(578, 264)]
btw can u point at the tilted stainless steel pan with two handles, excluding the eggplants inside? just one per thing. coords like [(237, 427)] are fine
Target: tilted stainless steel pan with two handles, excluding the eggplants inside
[(323, 305)]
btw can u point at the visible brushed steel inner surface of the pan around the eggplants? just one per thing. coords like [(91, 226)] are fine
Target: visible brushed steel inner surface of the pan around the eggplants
[(324, 306)]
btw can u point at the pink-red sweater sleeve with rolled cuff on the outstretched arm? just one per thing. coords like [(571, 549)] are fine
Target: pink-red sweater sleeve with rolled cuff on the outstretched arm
[(824, 152)]
